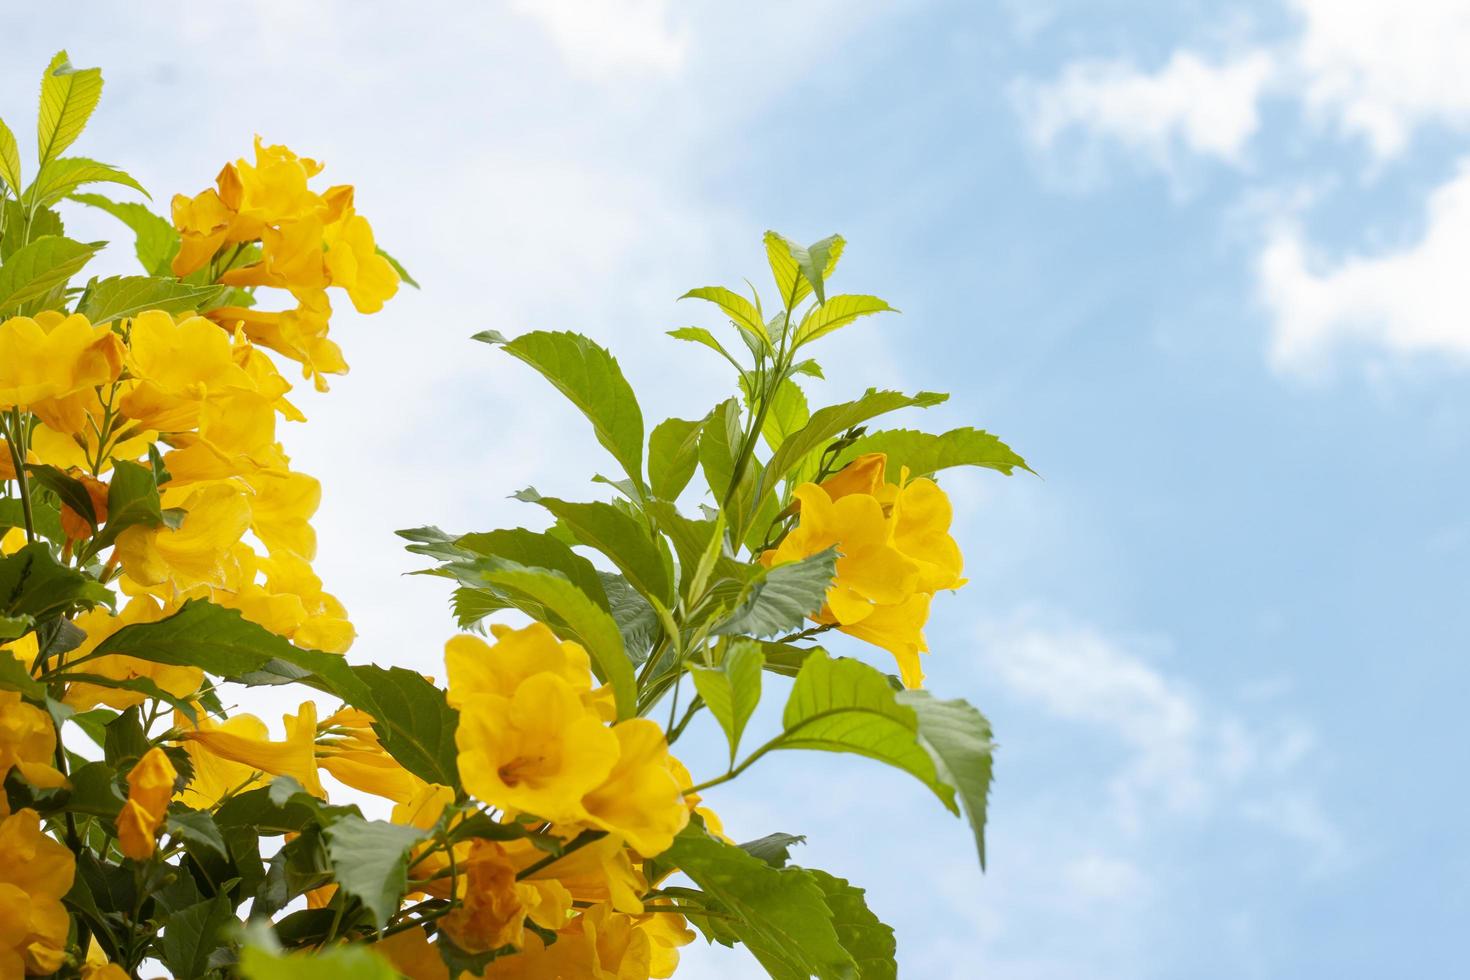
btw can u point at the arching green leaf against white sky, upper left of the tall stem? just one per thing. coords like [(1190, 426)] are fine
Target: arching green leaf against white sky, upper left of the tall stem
[(592, 380)]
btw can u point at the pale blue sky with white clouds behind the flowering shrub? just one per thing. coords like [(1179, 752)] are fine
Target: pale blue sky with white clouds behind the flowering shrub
[(1205, 268)]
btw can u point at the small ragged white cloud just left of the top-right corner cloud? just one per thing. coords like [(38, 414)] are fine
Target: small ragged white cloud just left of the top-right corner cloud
[(1190, 104)]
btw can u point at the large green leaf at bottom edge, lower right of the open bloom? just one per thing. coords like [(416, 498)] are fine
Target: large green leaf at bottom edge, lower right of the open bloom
[(781, 915)]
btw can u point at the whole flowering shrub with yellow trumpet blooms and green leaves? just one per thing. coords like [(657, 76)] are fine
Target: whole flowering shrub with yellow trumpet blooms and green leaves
[(527, 818)]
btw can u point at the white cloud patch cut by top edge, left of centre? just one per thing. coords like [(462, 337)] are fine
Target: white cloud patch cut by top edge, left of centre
[(608, 37)]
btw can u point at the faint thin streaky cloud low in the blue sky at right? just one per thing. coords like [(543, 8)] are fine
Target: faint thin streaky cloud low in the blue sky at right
[(1183, 757)]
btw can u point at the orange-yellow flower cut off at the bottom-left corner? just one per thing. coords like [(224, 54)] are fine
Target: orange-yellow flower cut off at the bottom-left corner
[(36, 872)]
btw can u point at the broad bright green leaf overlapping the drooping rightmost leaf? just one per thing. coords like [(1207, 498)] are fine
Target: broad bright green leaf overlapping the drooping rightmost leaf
[(845, 706)]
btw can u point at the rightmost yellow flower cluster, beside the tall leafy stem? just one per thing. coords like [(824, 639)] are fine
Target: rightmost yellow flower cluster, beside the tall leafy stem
[(896, 553)]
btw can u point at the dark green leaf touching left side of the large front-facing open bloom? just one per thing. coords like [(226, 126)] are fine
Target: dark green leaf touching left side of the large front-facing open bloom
[(414, 722)]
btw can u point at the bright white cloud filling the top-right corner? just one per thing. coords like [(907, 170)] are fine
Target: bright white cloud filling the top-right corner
[(1381, 70)]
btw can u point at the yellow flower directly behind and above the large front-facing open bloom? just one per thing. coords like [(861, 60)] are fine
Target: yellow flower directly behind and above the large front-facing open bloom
[(478, 668)]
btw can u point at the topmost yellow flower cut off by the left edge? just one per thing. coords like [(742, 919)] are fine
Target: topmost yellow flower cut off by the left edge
[(51, 358)]
